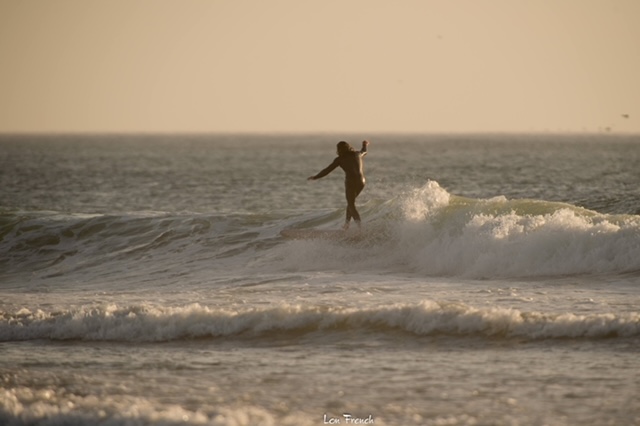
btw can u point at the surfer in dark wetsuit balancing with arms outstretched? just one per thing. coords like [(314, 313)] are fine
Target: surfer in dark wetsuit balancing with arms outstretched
[(350, 161)]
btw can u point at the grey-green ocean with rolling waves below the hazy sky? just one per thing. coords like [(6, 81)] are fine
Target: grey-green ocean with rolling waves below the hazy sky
[(144, 280)]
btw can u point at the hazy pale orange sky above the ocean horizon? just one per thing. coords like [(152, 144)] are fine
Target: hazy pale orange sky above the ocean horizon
[(325, 65)]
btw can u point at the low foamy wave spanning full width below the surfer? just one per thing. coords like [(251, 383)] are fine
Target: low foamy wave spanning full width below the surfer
[(148, 323)]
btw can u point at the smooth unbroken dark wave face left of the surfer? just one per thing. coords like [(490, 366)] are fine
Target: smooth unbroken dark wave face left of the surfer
[(41, 241)]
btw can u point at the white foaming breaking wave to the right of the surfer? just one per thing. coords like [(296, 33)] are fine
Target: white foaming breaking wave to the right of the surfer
[(433, 233)]
